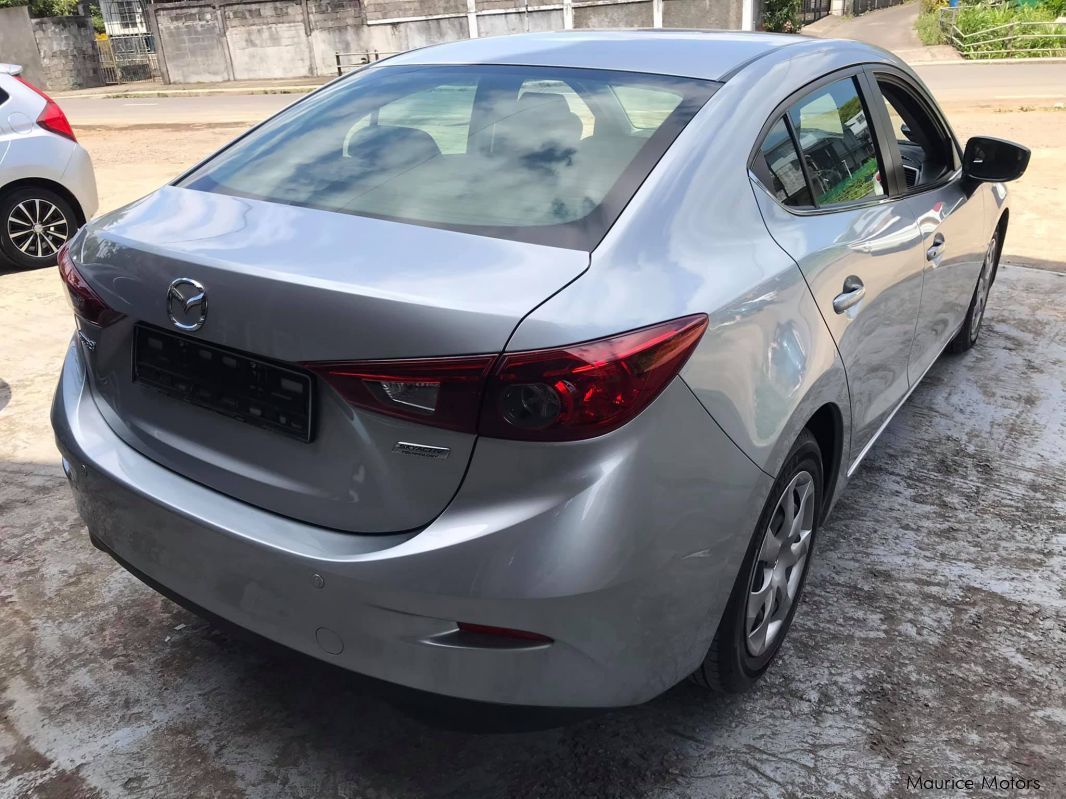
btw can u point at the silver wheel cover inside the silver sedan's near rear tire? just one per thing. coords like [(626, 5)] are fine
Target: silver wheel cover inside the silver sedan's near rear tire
[(780, 566)]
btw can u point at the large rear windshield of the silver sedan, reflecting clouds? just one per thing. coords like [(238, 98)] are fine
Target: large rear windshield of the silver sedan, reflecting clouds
[(543, 155)]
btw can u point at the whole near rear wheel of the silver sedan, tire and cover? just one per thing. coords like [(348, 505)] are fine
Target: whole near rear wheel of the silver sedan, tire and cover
[(768, 590)]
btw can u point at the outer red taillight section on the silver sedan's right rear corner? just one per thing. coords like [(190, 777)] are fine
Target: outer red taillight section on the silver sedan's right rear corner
[(586, 390)]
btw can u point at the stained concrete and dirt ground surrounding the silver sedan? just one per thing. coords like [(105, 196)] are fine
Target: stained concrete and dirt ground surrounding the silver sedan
[(931, 643)]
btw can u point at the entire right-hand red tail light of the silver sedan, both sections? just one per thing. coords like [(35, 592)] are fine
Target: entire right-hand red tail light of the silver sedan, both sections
[(563, 395)]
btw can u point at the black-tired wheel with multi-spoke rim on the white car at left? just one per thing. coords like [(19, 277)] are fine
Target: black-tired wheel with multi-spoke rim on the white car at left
[(21, 243)]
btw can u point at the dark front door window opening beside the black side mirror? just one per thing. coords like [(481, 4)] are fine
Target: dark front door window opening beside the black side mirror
[(926, 150)]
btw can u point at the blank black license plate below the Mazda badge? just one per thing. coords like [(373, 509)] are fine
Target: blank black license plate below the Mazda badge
[(254, 392)]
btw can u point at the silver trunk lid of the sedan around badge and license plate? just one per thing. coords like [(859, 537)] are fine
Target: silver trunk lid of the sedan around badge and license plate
[(289, 285)]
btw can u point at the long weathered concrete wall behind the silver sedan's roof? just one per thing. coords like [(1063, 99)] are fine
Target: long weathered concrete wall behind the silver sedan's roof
[(243, 40)]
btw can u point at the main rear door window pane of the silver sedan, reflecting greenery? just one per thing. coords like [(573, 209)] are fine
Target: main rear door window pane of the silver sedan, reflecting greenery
[(837, 144)]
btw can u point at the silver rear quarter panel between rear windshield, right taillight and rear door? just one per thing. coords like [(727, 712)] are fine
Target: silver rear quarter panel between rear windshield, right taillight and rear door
[(693, 241)]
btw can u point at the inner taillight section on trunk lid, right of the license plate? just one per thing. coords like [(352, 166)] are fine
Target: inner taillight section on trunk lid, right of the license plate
[(445, 393)]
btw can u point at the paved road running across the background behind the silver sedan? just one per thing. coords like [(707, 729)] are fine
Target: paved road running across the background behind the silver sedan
[(997, 85)]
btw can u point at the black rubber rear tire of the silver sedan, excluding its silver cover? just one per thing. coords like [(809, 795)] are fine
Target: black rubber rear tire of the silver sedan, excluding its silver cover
[(731, 667)]
